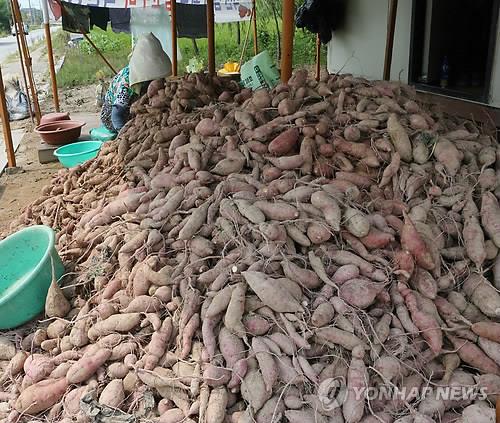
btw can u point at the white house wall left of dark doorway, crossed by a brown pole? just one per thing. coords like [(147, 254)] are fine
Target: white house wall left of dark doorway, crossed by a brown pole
[(359, 47)]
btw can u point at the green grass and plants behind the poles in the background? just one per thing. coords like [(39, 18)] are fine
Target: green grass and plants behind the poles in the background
[(82, 63)]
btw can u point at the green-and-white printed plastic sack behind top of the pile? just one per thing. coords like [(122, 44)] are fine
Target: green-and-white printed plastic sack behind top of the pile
[(260, 72)]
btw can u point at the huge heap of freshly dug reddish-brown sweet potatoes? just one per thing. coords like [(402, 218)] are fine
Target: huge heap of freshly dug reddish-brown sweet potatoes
[(240, 257)]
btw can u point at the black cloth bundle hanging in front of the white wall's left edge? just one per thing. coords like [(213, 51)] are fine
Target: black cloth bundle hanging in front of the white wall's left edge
[(321, 17)]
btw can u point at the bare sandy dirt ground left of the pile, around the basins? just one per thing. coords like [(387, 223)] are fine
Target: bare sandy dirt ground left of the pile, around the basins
[(21, 187)]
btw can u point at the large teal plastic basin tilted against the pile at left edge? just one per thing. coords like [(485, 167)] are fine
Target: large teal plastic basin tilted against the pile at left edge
[(26, 273)]
